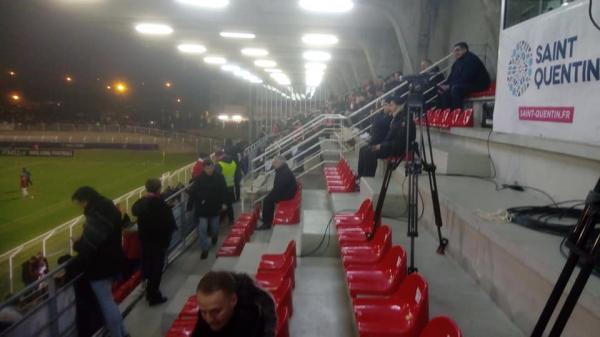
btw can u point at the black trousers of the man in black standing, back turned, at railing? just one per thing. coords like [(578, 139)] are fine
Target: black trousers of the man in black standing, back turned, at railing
[(153, 261)]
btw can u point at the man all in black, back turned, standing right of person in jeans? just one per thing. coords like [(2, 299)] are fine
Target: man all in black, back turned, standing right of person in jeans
[(156, 224)]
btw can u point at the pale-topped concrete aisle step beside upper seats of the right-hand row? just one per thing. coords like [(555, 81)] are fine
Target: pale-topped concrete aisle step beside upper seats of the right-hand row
[(317, 238)]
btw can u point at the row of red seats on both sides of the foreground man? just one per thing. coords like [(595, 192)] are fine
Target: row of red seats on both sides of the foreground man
[(276, 274)]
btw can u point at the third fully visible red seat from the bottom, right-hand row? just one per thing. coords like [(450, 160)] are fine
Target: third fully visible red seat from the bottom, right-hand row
[(370, 252)]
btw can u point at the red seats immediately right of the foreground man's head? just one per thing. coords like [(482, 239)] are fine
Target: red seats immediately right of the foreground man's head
[(276, 274)]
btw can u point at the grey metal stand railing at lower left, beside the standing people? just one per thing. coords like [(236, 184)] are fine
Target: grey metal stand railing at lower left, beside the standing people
[(47, 307)]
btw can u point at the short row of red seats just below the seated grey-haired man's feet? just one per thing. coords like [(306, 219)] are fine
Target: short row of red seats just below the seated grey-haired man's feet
[(240, 233)]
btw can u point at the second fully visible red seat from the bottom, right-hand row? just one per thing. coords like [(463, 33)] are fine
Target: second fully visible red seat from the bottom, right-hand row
[(379, 279)]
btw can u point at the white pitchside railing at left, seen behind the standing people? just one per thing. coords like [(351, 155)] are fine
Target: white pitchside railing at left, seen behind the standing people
[(58, 241)]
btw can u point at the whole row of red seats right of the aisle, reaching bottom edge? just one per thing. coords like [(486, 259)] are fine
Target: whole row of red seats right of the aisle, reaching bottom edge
[(397, 304)]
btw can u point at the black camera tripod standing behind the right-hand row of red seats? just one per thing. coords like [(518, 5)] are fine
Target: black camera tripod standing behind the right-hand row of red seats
[(416, 161)]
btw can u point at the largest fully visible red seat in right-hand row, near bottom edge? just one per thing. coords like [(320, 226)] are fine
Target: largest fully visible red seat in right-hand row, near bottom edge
[(405, 314)]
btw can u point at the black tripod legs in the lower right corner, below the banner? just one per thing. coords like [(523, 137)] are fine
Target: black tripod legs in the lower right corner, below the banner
[(581, 252)]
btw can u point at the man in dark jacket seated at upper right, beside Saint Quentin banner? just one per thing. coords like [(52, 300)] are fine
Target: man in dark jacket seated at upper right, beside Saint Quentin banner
[(468, 75)]
